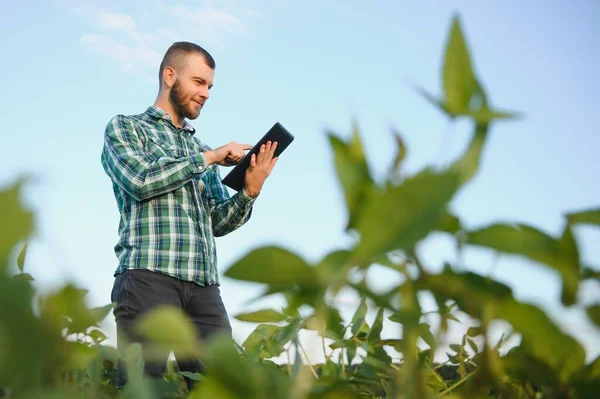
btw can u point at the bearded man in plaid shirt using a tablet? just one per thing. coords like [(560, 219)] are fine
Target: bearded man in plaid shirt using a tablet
[(172, 204)]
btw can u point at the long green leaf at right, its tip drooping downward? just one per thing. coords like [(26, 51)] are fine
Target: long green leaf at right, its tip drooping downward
[(530, 242)]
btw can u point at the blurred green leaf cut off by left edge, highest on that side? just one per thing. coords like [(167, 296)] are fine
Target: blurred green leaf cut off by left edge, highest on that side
[(17, 222)]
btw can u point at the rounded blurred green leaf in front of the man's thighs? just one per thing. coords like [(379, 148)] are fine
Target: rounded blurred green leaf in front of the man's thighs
[(168, 328)]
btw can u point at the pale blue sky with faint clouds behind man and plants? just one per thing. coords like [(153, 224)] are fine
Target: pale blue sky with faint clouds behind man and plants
[(70, 66)]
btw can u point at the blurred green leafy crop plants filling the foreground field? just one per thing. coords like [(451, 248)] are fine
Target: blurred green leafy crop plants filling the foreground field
[(51, 346)]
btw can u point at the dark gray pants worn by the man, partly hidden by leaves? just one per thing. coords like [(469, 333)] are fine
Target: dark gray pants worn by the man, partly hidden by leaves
[(138, 291)]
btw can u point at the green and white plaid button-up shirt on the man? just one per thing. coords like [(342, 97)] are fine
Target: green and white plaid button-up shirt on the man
[(171, 204)]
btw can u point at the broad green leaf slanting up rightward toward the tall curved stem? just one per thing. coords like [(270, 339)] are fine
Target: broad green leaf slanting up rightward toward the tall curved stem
[(405, 214)]
